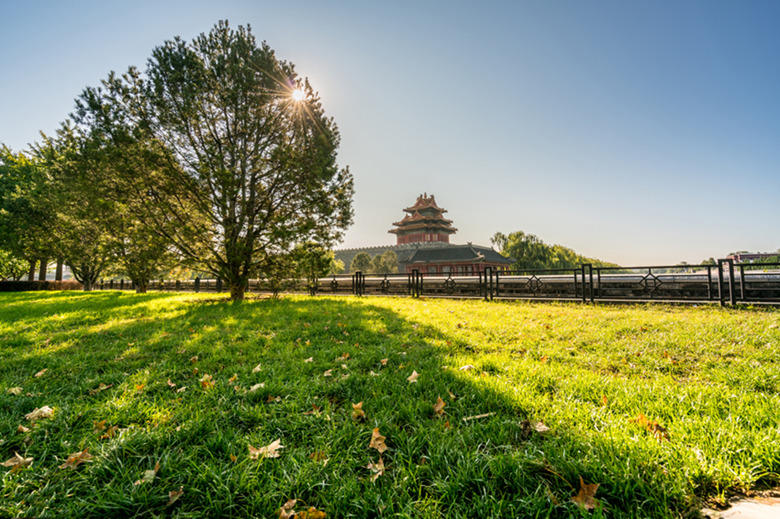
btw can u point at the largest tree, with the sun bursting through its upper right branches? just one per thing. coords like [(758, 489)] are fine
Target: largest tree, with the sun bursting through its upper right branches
[(251, 157)]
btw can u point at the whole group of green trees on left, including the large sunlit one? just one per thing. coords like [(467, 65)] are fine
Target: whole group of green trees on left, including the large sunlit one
[(218, 157)]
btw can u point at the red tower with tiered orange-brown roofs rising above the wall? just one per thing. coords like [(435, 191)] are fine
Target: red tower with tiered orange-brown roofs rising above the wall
[(424, 223)]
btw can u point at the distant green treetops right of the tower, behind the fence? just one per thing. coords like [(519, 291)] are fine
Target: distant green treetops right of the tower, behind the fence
[(531, 253)]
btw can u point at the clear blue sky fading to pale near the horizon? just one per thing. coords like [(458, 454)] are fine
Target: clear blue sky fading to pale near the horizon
[(641, 133)]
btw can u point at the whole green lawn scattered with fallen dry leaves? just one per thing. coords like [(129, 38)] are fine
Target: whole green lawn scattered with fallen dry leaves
[(170, 400)]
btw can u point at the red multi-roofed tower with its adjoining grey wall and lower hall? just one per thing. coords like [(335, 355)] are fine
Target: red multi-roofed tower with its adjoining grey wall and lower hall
[(423, 243)]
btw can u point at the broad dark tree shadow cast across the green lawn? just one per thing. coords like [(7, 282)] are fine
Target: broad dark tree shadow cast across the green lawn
[(291, 370)]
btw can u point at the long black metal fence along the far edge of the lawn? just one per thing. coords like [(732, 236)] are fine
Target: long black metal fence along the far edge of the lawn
[(723, 283)]
